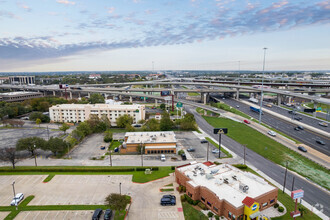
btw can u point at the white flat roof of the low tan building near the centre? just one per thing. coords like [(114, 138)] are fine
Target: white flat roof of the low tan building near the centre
[(150, 137)]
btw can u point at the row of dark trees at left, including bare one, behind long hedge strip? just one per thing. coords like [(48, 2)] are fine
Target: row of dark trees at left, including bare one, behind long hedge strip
[(31, 144)]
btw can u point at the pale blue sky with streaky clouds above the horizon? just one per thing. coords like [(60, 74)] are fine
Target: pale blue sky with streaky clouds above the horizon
[(110, 35)]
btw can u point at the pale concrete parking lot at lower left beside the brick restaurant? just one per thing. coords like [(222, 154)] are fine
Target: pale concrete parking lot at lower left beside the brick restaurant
[(88, 189)]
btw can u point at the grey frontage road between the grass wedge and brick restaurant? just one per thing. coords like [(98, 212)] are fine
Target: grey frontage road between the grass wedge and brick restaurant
[(313, 194)]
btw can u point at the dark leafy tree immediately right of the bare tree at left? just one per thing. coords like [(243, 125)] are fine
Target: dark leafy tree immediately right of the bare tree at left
[(29, 143)]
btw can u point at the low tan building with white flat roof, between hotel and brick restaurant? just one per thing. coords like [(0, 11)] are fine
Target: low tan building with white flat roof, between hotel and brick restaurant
[(160, 142)]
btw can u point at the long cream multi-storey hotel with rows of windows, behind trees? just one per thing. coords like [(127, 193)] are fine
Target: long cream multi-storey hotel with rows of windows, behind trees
[(82, 112)]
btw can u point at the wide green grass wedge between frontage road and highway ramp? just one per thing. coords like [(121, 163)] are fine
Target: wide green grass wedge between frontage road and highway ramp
[(273, 150)]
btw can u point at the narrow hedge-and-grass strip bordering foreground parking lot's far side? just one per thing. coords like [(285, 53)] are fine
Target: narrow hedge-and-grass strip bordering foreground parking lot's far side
[(138, 173)]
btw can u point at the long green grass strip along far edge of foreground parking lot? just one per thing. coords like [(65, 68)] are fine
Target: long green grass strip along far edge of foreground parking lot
[(138, 176)]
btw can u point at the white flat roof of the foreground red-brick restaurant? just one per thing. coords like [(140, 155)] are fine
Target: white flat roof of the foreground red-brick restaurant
[(225, 180)]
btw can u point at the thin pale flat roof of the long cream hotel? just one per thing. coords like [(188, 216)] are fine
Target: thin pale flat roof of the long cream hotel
[(98, 106)]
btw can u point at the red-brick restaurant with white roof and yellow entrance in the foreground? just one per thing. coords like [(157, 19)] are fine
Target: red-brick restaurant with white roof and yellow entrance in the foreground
[(226, 190)]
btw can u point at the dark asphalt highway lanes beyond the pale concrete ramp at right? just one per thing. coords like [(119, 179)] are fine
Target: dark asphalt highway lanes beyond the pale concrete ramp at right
[(305, 136)]
